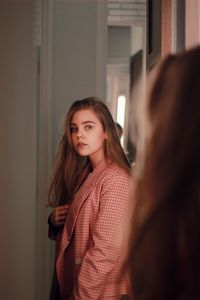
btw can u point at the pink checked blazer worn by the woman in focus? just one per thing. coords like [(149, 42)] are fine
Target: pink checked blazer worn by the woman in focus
[(93, 243)]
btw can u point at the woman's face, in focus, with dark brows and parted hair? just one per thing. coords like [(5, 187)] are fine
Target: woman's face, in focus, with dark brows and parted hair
[(88, 136)]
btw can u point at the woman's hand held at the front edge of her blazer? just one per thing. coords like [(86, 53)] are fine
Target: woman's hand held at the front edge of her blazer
[(58, 216)]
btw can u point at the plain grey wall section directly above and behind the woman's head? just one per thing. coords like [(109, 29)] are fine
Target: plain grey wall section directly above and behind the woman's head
[(79, 46)]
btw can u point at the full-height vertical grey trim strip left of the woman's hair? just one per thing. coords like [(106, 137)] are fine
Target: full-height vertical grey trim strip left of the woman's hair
[(43, 249)]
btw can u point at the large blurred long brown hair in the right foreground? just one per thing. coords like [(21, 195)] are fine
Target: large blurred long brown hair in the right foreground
[(164, 254)]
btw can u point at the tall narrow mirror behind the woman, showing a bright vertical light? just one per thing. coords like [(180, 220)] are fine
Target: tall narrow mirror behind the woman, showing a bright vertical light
[(126, 52)]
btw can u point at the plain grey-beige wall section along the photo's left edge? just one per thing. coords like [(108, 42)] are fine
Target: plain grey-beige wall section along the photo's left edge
[(17, 151)]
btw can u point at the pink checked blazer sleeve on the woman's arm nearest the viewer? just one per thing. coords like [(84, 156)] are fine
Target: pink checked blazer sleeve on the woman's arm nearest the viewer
[(107, 236)]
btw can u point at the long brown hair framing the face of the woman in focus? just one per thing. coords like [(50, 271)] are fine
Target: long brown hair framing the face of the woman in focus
[(69, 166)]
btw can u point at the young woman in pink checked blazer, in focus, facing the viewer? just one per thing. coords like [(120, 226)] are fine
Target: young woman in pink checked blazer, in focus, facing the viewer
[(90, 193)]
